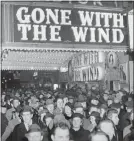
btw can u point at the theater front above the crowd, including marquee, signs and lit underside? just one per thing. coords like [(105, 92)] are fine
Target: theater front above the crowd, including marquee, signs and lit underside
[(83, 42)]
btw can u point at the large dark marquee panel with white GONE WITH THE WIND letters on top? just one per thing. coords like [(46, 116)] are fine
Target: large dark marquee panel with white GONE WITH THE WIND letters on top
[(41, 25)]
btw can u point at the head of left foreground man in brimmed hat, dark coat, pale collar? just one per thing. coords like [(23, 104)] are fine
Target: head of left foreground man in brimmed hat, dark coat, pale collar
[(27, 114)]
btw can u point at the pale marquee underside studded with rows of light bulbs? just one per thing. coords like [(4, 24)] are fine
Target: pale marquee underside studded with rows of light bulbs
[(40, 59)]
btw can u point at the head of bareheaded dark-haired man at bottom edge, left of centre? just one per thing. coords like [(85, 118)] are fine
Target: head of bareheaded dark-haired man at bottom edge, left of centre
[(60, 132)]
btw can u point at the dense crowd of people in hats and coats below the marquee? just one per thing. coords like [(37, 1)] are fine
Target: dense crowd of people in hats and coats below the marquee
[(73, 115)]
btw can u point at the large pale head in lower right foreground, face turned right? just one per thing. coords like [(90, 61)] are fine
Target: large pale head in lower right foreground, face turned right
[(107, 127)]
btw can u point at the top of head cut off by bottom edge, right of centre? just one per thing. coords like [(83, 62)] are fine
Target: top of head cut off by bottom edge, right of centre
[(98, 136)]
